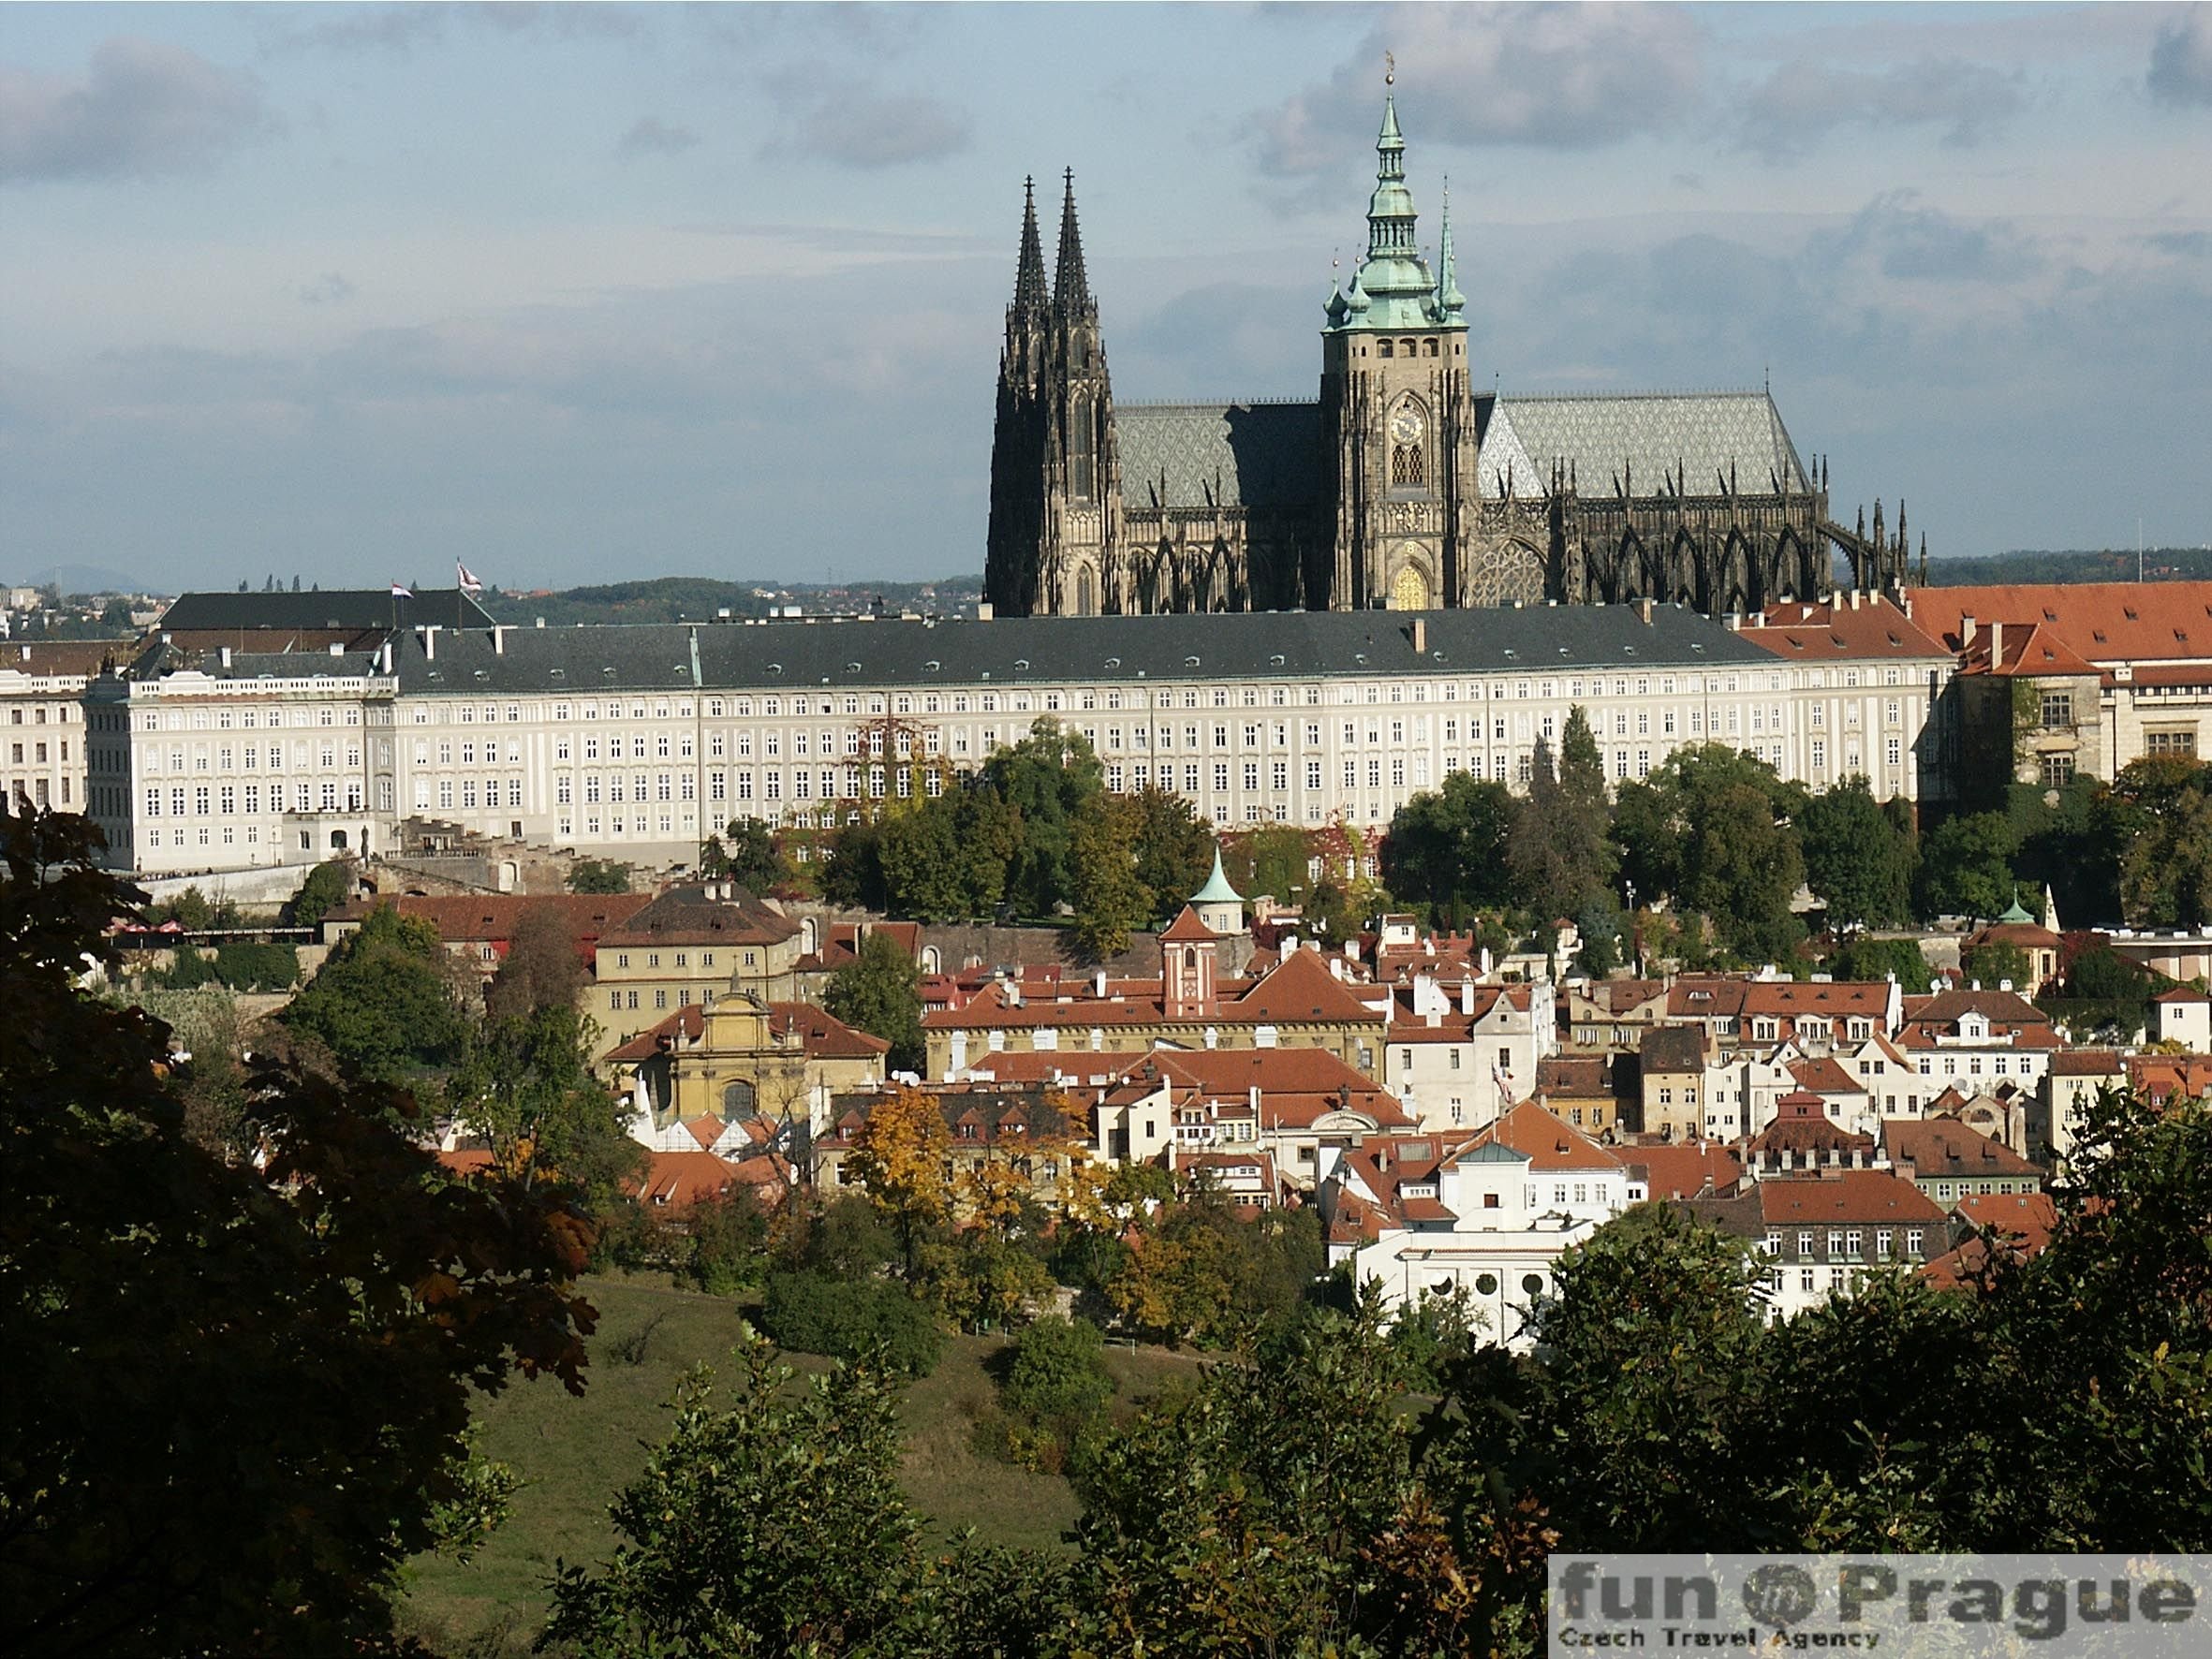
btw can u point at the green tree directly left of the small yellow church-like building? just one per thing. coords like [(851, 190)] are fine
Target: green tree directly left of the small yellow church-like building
[(528, 1087)]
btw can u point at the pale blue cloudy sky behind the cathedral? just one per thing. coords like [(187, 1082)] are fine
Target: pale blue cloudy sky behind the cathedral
[(603, 293)]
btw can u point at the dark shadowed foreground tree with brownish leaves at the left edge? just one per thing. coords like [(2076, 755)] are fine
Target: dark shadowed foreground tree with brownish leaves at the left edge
[(238, 1388)]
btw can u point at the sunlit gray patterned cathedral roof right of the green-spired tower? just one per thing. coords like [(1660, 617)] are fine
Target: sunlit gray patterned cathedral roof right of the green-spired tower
[(1653, 432)]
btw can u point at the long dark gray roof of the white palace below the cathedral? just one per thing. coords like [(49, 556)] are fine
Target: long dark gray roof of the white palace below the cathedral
[(1061, 651)]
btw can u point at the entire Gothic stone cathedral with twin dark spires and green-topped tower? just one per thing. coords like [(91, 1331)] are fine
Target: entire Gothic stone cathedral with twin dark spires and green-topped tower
[(1401, 486)]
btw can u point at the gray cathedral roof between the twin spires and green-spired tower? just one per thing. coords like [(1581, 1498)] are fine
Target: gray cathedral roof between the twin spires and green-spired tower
[(1220, 455)]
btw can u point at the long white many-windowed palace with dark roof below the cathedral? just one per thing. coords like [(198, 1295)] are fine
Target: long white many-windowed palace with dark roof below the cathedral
[(634, 742)]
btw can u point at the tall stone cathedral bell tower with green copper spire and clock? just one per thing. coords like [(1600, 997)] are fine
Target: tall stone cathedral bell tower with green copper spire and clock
[(1397, 410)]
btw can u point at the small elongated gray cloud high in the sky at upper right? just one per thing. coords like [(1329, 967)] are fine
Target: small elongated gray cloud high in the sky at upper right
[(1806, 103)]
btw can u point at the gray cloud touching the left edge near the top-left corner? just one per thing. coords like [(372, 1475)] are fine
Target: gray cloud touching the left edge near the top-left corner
[(140, 107)]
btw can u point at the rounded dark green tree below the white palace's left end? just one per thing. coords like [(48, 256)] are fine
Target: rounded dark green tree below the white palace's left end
[(384, 1003)]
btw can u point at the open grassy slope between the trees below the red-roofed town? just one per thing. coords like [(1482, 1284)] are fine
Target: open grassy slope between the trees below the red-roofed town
[(578, 1454)]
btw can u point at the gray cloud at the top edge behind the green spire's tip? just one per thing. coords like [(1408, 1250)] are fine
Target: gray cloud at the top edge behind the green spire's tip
[(1552, 76)]
